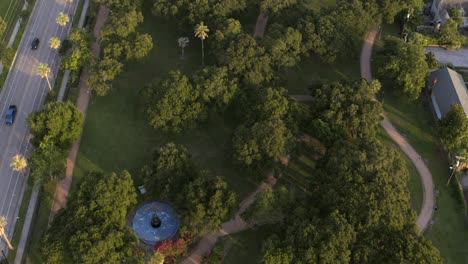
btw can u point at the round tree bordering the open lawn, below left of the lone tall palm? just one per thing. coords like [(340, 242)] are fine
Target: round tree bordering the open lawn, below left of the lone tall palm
[(173, 103)]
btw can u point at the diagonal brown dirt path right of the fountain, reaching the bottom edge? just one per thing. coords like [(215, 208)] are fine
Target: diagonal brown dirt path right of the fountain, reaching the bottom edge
[(235, 225)]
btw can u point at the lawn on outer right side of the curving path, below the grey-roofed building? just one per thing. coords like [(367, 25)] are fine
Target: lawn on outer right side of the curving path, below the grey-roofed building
[(414, 120)]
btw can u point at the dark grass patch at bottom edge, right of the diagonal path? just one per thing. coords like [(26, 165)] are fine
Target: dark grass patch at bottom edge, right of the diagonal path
[(245, 247)]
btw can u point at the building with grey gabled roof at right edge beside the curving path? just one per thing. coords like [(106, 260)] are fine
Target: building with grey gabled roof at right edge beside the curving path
[(447, 87)]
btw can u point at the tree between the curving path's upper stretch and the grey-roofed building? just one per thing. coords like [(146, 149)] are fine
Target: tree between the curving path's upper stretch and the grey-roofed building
[(404, 64)]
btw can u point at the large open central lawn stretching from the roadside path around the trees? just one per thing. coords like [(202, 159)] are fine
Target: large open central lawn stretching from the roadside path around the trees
[(116, 133)]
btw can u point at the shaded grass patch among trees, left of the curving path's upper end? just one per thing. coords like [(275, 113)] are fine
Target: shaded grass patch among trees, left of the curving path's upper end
[(312, 70)]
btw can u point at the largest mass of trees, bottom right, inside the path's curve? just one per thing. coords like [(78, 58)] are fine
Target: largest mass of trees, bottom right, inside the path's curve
[(358, 212)]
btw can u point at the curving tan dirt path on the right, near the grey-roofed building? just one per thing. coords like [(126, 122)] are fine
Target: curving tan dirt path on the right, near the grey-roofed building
[(427, 209)]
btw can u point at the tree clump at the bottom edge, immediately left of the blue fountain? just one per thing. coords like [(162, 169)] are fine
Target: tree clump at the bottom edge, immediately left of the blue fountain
[(92, 227)]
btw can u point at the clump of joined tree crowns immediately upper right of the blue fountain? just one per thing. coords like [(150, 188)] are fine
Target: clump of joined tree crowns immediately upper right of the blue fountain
[(202, 201)]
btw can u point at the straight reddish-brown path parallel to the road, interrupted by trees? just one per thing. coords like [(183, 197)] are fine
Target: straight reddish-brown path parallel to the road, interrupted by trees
[(61, 191)]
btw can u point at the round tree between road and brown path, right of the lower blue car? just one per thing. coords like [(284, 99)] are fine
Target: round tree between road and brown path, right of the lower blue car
[(59, 122)]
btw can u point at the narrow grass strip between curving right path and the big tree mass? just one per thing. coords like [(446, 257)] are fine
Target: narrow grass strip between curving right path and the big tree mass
[(415, 187)]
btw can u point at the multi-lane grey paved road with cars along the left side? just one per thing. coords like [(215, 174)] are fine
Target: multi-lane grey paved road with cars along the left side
[(27, 91)]
